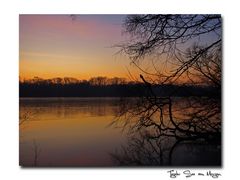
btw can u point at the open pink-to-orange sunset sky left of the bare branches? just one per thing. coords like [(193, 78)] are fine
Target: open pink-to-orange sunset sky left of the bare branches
[(80, 47)]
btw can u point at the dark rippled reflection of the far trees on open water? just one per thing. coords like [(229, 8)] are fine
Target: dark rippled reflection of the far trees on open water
[(70, 107)]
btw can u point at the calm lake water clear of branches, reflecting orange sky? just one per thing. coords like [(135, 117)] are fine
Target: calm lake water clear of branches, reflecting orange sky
[(75, 132)]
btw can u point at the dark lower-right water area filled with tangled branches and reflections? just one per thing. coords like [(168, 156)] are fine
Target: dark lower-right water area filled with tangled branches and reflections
[(170, 132)]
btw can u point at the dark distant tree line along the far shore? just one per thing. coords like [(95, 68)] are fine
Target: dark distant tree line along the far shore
[(102, 87)]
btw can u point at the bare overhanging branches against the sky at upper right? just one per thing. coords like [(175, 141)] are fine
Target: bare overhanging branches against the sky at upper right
[(186, 42)]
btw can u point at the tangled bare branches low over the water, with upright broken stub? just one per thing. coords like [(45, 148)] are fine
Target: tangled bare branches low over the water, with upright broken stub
[(154, 121)]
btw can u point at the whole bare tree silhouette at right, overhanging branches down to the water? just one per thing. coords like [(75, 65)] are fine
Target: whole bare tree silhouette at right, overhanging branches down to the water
[(159, 124)]
